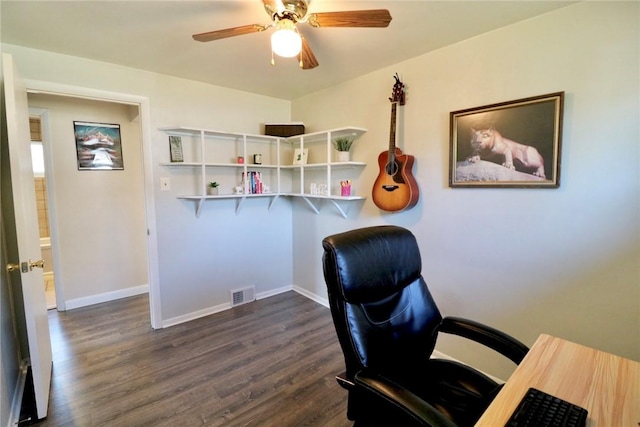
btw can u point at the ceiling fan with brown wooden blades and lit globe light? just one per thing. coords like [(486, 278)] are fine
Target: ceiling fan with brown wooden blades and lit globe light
[(286, 14)]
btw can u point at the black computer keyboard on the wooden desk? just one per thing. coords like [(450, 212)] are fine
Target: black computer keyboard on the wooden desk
[(539, 409)]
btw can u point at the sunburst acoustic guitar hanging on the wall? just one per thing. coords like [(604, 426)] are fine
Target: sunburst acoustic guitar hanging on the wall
[(395, 188)]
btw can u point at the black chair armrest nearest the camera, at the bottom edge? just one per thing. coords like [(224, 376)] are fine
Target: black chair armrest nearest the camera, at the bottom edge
[(423, 413)]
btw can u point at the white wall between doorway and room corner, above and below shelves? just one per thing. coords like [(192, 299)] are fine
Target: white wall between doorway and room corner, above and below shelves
[(200, 259)]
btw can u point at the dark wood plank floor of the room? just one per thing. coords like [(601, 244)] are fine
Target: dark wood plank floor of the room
[(267, 363)]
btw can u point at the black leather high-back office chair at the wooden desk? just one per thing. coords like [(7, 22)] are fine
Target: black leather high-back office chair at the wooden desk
[(387, 324)]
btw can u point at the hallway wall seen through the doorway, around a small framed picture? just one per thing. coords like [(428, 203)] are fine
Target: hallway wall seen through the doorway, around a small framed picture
[(101, 225)]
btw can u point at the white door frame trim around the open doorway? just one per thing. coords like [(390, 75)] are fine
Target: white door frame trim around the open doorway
[(50, 88)]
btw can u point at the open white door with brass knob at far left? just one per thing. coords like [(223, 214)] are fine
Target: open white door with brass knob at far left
[(27, 234)]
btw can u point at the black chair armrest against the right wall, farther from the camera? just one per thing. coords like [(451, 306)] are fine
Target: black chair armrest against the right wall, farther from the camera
[(485, 335)]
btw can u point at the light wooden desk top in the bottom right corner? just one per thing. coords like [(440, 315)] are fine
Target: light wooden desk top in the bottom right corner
[(606, 385)]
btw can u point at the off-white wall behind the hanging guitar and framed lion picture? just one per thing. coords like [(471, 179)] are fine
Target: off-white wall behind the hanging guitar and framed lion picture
[(529, 261)]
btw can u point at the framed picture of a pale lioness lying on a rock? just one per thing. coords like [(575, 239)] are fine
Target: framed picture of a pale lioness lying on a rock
[(510, 144)]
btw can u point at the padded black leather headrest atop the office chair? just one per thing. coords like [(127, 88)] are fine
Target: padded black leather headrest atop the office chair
[(369, 264)]
